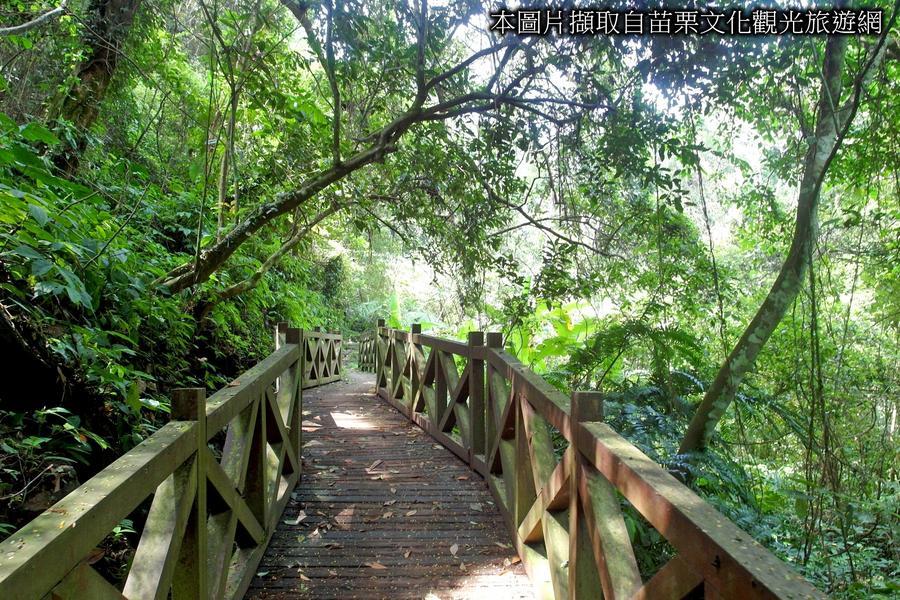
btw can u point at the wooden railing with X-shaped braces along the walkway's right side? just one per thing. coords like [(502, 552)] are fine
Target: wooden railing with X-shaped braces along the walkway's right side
[(563, 506)]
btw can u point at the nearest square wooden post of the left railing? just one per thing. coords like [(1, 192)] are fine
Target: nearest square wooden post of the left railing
[(190, 578)]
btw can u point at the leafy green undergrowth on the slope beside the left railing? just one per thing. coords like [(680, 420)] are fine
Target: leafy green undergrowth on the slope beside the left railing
[(77, 264)]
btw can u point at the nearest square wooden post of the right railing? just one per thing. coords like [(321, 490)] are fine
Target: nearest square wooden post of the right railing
[(584, 580)]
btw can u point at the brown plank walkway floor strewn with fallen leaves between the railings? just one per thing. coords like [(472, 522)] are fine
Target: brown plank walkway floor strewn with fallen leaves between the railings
[(383, 511)]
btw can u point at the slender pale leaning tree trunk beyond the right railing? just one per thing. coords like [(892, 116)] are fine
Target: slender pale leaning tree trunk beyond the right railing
[(790, 279)]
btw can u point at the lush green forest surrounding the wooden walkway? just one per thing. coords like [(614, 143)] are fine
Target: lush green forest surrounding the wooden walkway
[(706, 228)]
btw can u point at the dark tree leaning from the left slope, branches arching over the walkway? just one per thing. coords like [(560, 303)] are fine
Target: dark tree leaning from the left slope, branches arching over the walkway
[(439, 92)]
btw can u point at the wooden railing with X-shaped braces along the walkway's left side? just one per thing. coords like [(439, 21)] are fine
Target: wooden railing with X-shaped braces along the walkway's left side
[(220, 474)]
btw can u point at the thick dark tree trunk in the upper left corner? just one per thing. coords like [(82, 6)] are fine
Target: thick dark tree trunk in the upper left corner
[(110, 22)]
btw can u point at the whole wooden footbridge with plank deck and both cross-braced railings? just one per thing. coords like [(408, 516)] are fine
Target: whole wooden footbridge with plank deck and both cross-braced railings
[(447, 470)]
